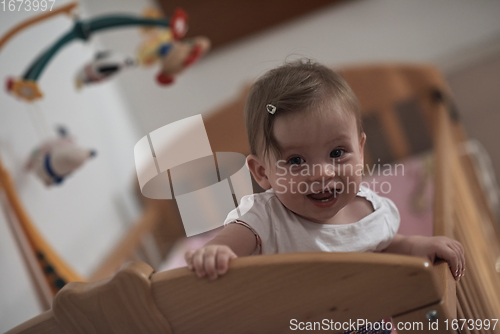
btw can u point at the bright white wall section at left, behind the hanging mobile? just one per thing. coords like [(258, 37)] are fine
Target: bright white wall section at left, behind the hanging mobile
[(85, 216)]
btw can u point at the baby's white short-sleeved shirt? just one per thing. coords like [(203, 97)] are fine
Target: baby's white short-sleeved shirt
[(282, 231)]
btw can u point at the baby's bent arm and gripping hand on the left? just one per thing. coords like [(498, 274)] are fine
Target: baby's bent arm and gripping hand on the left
[(212, 259)]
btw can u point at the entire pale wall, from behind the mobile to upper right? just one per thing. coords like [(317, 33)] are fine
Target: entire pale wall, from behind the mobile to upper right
[(448, 32)]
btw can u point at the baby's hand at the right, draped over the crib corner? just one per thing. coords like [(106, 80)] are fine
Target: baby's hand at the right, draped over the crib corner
[(444, 248)]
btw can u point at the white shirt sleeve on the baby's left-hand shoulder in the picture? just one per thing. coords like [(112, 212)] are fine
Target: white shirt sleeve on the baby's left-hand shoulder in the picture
[(253, 211)]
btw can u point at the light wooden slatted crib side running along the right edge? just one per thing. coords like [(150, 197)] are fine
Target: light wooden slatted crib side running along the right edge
[(458, 215)]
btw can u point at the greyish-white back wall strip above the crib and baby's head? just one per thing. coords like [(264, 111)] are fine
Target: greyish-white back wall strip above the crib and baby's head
[(442, 31)]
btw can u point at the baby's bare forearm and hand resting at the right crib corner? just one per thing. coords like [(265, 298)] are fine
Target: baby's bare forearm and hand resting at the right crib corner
[(431, 248)]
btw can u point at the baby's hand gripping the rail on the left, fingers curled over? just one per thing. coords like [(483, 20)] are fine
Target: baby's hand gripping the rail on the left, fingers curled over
[(211, 260)]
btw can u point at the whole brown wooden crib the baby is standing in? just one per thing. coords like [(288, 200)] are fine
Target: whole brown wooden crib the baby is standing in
[(407, 109)]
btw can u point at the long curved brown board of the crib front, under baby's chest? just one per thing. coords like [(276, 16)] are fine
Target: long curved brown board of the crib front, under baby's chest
[(263, 294)]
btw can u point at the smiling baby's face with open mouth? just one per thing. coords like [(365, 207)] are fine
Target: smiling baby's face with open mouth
[(321, 165)]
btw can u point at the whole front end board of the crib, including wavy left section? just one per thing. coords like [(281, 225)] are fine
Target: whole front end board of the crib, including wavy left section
[(258, 295)]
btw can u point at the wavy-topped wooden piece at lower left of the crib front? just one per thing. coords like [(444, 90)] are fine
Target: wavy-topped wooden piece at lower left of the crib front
[(119, 304)]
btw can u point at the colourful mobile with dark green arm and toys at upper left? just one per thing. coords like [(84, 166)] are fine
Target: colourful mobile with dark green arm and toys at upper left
[(162, 42)]
